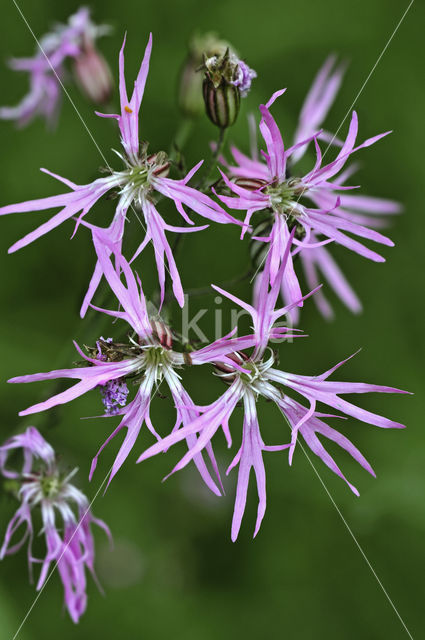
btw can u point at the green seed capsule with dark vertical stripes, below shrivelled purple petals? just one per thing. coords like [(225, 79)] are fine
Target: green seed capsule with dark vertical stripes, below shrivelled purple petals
[(221, 103)]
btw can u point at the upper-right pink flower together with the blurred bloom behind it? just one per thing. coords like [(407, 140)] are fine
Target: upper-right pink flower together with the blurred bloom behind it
[(336, 213)]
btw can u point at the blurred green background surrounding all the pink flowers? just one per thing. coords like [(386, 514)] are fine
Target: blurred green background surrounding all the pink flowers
[(174, 572)]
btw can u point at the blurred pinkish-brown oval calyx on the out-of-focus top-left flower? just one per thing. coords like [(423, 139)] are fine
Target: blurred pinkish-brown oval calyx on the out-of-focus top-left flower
[(93, 75)]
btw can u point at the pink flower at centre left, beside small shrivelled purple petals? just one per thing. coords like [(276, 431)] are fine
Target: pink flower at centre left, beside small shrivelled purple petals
[(148, 359)]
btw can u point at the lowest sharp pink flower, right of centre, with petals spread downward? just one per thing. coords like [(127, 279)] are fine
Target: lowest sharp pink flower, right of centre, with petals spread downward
[(260, 378)]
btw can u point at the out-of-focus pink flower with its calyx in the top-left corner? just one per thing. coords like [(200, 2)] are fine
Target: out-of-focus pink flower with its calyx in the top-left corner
[(74, 40)]
